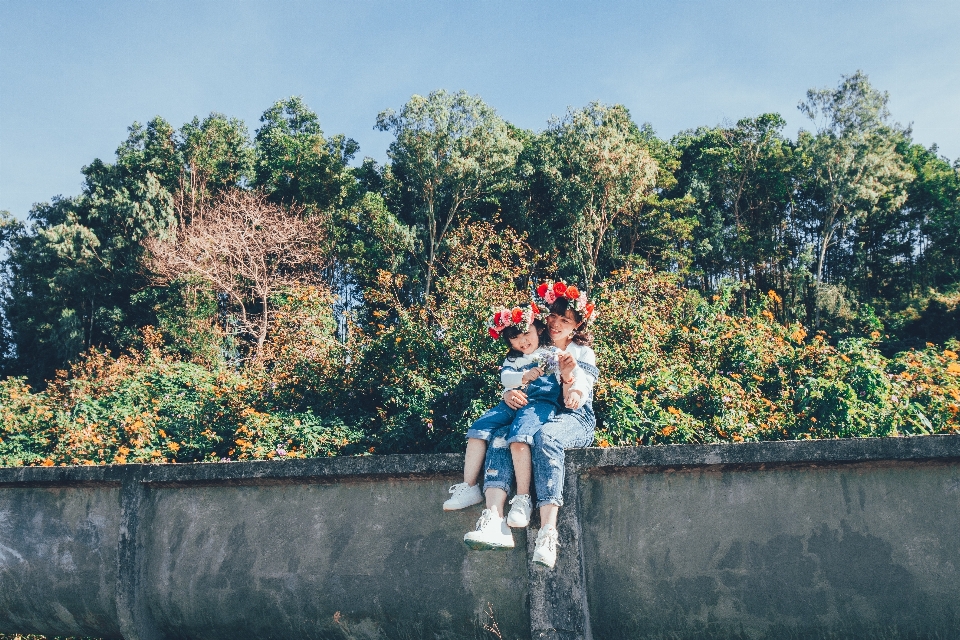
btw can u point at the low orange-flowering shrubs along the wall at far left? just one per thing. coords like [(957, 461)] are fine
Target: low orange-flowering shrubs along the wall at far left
[(149, 407)]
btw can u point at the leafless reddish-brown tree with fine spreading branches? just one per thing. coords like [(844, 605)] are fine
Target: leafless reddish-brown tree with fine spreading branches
[(248, 250)]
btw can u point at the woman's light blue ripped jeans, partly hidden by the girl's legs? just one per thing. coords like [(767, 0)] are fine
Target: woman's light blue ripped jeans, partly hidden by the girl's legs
[(566, 430)]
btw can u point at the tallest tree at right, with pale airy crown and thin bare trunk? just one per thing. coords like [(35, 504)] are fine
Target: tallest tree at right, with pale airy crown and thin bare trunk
[(852, 159)]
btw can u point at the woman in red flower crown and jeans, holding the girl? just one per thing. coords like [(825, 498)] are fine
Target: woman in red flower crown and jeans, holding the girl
[(571, 427)]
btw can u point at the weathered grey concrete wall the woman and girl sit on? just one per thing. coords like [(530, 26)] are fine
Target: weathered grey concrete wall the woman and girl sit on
[(855, 538)]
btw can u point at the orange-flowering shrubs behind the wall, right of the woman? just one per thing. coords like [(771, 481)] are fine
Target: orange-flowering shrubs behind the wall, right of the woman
[(678, 368)]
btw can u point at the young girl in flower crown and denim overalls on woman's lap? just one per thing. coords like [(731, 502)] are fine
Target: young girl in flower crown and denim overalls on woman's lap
[(526, 366)]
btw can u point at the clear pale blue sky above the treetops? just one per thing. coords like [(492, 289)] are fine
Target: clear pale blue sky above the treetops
[(74, 74)]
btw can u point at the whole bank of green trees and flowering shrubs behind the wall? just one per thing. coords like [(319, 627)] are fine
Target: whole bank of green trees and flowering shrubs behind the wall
[(709, 255)]
